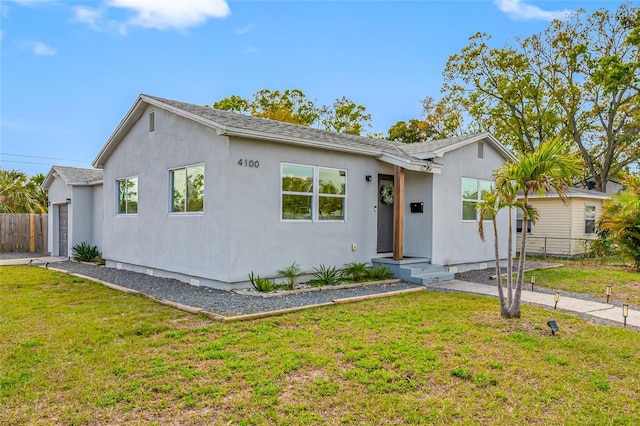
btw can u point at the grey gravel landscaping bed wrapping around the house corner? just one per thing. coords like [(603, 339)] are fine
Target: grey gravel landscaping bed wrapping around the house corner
[(219, 301)]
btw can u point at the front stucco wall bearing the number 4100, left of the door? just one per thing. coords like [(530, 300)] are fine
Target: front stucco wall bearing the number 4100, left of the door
[(263, 243)]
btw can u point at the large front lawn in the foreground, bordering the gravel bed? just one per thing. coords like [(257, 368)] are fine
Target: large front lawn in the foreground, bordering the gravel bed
[(75, 352)]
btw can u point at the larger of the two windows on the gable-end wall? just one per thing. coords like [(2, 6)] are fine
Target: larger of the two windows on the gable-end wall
[(187, 189)]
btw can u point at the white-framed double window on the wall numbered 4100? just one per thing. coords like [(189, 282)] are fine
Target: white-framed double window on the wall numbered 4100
[(311, 193)]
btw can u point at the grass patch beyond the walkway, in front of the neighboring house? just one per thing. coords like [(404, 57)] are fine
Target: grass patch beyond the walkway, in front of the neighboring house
[(591, 277)]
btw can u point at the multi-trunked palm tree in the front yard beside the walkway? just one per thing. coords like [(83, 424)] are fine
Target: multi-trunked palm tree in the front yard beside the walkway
[(548, 168)]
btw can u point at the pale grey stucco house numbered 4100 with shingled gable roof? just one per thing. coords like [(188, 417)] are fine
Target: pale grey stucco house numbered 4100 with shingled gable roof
[(208, 196)]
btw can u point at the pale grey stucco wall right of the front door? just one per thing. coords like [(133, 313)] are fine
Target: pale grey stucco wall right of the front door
[(455, 241)]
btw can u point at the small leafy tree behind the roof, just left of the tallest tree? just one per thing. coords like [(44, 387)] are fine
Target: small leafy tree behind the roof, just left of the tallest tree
[(441, 120)]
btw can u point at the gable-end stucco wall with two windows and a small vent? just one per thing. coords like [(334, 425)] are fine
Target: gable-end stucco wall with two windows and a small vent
[(194, 244)]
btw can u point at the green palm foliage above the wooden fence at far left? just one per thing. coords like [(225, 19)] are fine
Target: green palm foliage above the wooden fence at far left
[(21, 194)]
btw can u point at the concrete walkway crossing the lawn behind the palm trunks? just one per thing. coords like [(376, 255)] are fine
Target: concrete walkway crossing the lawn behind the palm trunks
[(567, 304)]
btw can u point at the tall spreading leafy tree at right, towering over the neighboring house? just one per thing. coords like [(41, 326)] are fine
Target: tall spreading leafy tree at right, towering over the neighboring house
[(579, 79)]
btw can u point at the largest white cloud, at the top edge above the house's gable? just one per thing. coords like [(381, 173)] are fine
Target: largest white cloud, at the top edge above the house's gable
[(178, 14)]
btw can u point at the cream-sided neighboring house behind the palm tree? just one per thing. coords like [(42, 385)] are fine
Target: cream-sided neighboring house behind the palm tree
[(563, 229)]
